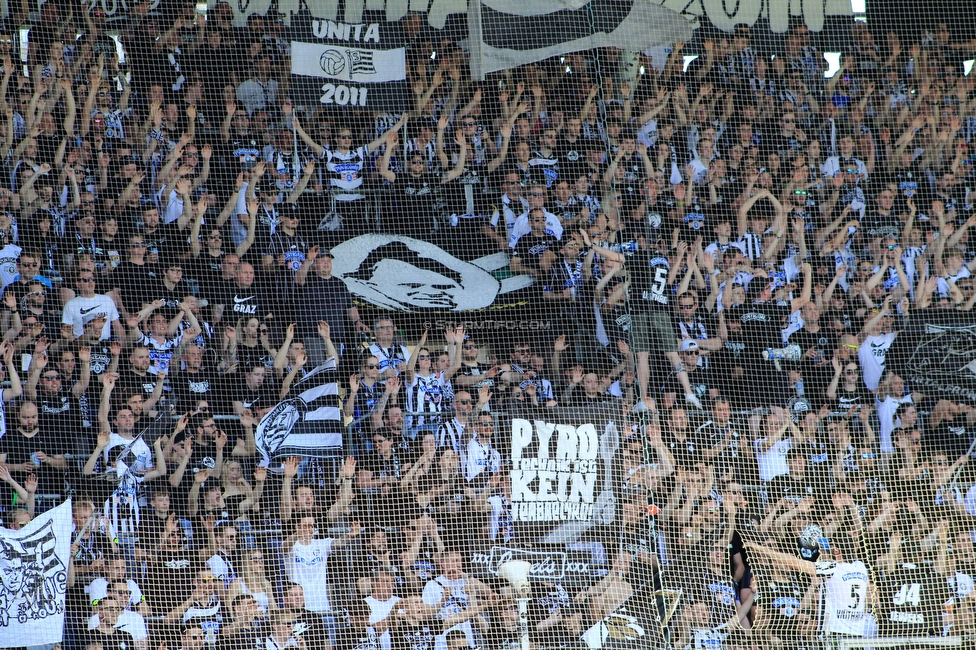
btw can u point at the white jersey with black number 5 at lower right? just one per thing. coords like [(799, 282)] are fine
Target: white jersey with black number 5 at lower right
[(843, 596)]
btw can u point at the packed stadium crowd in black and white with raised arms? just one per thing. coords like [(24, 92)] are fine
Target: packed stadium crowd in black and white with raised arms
[(722, 254)]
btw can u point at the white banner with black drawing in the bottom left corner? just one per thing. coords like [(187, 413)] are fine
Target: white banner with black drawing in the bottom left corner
[(34, 579)]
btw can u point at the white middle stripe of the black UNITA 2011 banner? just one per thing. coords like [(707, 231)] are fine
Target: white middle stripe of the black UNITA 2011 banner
[(348, 63)]
